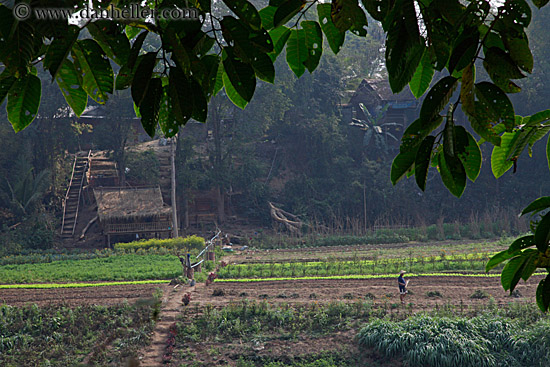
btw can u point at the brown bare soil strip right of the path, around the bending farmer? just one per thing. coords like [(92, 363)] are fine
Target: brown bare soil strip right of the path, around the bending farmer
[(383, 292)]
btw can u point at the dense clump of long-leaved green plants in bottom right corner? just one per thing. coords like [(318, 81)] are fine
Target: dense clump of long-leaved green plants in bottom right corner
[(485, 341)]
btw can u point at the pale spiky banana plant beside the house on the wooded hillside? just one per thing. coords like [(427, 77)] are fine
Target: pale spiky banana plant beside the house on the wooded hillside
[(376, 131)]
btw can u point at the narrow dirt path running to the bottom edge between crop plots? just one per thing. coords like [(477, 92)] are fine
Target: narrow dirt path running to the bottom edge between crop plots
[(172, 305)]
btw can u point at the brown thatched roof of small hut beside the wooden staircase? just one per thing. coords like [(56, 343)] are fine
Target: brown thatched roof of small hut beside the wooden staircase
[(114, 203)]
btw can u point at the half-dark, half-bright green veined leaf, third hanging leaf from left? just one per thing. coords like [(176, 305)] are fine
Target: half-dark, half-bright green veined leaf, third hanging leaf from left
[(94, 69)]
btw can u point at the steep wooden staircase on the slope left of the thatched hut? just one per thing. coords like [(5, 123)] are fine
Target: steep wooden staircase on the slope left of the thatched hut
[(71, 202)]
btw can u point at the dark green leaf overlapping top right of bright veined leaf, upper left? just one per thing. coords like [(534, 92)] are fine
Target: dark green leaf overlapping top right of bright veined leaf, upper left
[(112, 39)]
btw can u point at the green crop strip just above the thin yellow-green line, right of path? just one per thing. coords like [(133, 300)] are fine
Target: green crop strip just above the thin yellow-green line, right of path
[(381, 266)]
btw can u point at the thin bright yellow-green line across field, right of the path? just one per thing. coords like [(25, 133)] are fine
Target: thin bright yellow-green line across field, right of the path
[(375, 276)]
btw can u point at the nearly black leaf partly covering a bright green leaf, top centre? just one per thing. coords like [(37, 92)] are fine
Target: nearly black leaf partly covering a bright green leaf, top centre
[(240, 75)]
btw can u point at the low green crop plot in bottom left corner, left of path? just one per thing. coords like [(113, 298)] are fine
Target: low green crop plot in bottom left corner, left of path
[(63, 336)]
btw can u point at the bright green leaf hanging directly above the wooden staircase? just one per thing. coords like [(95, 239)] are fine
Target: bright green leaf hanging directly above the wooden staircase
[(69, 82)]
